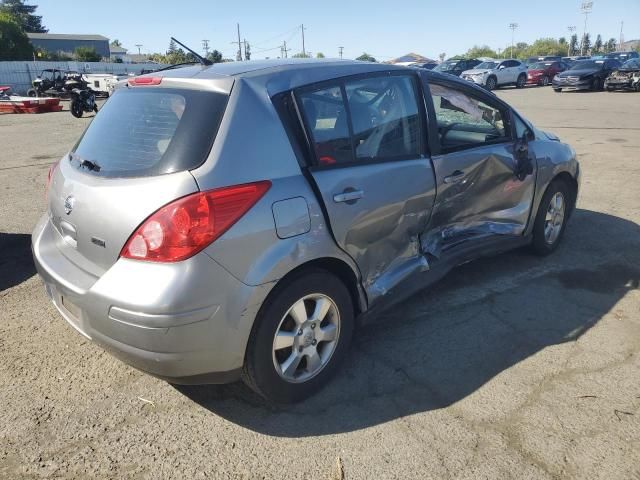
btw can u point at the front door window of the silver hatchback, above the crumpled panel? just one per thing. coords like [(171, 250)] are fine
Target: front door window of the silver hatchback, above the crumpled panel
[(466, 121)]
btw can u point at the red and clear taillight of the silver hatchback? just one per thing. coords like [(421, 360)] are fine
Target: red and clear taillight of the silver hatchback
[(182, 228)]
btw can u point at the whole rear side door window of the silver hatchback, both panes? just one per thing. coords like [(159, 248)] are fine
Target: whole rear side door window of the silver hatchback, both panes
[(362, 120)]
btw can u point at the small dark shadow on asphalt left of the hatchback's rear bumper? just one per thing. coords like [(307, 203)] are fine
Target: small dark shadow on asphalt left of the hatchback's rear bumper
[(16, 262)]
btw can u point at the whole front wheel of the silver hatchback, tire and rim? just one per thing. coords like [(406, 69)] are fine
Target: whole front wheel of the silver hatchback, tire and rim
[(551, 218)]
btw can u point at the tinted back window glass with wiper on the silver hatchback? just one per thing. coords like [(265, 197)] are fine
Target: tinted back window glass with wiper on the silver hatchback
[(144, 131)]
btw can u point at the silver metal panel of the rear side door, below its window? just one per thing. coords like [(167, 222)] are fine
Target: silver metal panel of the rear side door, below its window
[(381, 229)]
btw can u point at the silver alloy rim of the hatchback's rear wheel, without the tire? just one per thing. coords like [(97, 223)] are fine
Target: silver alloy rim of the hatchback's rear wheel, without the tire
[(306, 338)]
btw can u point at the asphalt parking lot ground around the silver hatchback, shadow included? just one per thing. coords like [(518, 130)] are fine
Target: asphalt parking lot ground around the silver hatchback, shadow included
[(514, 367)]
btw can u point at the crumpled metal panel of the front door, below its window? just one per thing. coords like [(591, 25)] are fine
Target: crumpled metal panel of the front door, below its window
[(484, 199)]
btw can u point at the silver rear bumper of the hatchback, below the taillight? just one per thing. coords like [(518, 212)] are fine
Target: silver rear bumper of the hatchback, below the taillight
[(185, 322)]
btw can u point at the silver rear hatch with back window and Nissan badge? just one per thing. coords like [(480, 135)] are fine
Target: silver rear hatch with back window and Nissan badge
[(133, 158)]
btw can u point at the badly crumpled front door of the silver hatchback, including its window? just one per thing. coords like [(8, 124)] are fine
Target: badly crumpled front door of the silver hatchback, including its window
[(480, 193)]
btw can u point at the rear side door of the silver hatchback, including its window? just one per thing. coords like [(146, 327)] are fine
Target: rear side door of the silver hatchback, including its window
[(367, 141)]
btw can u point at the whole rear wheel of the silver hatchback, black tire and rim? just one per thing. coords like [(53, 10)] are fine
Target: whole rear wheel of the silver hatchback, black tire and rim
[(300, 337)]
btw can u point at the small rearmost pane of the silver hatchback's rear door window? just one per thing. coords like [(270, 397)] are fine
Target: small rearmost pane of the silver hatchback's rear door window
[(326, 118)]
